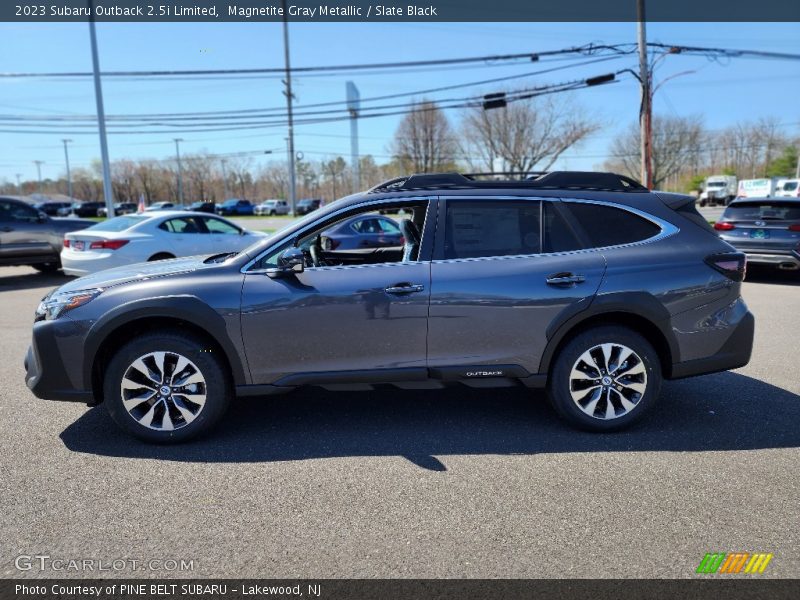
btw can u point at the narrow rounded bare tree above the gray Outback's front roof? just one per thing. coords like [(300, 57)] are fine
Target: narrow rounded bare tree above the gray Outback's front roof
[(424, 140)]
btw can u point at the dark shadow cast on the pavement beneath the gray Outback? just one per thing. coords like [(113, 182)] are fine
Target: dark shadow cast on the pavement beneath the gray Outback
[(725, 411)]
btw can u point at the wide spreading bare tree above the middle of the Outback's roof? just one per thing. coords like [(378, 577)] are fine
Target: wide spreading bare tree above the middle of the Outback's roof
[(525, 135)]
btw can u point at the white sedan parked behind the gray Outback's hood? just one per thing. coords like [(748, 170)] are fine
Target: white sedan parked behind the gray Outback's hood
[(151, 236)]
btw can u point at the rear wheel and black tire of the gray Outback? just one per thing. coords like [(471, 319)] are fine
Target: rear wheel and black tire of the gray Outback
[(561, 384)]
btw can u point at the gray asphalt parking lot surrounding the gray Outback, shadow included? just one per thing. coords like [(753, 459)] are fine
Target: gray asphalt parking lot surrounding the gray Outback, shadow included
[(453, 483)]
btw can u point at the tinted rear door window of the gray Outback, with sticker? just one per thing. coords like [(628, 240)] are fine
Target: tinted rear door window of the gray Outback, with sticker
[(477, 229)]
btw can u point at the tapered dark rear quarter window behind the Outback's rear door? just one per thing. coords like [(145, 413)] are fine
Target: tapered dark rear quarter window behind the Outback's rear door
[(608, 226)]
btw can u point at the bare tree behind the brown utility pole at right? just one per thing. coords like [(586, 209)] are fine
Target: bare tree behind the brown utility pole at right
[(676, 140)]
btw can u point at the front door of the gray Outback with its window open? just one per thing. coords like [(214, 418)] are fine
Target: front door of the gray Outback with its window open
[(370, 317)]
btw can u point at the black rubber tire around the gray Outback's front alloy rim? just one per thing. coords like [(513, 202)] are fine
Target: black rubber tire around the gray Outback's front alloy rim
[(217, 387)]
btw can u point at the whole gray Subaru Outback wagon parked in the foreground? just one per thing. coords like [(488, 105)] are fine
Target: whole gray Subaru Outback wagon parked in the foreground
[(586, 284)]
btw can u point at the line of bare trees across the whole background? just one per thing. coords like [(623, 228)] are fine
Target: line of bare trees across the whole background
[(523, 137)]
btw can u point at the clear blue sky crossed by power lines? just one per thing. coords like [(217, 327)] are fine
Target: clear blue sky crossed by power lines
[(723, 92)]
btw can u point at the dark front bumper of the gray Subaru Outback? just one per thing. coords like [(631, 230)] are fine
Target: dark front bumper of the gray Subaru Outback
[(46, 374)]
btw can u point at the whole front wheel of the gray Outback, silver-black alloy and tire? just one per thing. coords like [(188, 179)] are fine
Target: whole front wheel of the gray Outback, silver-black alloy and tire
[(166, 387)]
